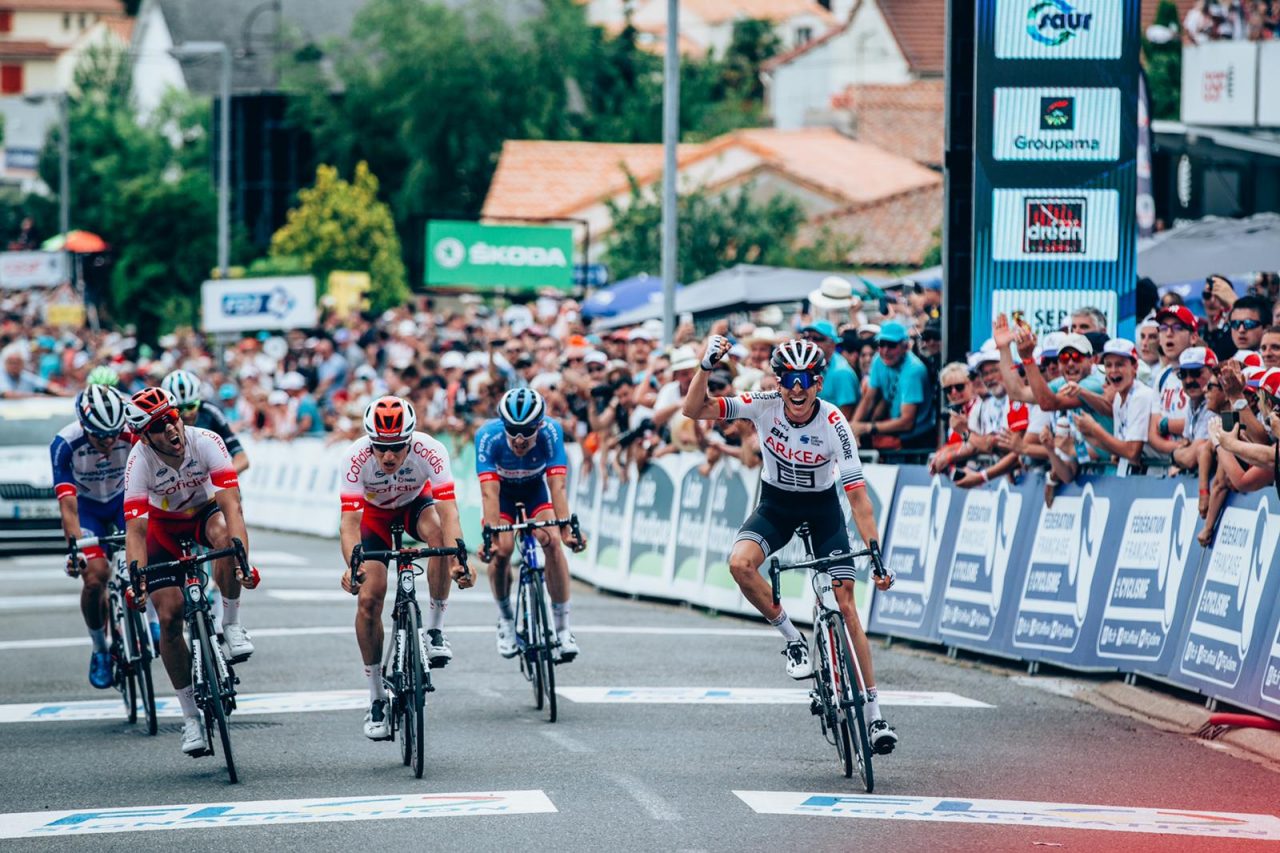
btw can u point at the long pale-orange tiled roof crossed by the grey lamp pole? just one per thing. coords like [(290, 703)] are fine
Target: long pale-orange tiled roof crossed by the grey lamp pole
[(537, 179)]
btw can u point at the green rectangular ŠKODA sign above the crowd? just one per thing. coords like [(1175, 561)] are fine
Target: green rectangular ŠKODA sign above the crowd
[(483, 257)]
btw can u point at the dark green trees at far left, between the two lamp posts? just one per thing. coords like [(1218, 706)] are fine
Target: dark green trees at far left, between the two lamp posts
[(145, 189)]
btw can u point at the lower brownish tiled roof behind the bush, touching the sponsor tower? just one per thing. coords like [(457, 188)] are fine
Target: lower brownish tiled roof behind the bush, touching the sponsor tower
[(897, 231)]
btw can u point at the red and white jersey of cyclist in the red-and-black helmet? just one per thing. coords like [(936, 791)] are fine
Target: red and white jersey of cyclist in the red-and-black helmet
[(152, 486)]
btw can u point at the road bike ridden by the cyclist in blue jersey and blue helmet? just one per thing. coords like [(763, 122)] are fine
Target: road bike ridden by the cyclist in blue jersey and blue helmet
[(536, 635)]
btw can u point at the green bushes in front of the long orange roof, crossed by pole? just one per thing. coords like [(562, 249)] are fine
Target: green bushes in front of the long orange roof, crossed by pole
[(716, 232)]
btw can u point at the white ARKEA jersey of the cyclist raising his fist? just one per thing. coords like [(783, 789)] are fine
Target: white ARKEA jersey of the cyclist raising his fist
[(799, 458)]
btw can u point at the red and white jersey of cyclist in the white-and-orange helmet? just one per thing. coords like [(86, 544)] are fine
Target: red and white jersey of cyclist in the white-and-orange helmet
[(424, 473)]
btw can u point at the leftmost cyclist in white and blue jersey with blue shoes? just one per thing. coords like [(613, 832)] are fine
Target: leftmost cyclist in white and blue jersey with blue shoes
[(89, 458)]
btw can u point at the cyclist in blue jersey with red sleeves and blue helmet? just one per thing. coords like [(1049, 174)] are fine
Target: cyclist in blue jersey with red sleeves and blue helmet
[(520, 459)]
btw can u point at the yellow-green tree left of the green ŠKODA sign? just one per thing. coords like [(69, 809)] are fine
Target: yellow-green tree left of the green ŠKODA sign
[(342, 226)]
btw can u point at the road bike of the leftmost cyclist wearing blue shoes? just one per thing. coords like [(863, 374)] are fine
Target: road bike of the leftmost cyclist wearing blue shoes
[(132, 651)]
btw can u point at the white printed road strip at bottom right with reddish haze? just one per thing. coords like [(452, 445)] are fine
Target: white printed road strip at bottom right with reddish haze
[(1011, 813)]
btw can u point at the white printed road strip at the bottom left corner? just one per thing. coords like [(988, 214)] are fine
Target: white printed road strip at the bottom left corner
[(141, 819)]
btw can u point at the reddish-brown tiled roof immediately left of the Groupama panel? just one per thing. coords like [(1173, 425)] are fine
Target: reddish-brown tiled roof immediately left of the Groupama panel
[(907, 118)]
